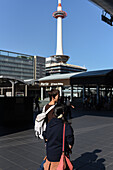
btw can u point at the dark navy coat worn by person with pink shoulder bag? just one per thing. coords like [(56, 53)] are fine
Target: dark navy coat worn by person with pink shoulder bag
[(54, 136)]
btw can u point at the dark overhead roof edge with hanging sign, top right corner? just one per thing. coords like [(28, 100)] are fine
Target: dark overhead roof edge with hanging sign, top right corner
[(107, 6)]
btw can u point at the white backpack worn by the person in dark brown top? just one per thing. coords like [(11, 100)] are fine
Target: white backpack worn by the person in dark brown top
[(40, 123)]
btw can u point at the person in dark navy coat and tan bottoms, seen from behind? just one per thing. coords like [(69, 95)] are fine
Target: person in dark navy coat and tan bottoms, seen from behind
[(54, 138)]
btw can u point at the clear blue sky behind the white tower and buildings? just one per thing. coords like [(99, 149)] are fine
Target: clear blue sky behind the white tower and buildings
[(27, 26)]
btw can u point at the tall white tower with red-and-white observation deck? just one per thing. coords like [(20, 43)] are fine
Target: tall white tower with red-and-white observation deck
[(59, 15)]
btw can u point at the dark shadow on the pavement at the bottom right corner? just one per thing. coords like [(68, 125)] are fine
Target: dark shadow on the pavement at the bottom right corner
[(89, 161)]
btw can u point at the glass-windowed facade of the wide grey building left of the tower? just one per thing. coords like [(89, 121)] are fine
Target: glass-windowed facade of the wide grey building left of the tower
[(21, 66)]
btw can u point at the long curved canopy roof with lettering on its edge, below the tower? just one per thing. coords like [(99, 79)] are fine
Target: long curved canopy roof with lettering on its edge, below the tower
[(104, 77)]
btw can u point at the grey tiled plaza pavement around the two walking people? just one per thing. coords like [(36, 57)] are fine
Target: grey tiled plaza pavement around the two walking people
[(93, 148)]
